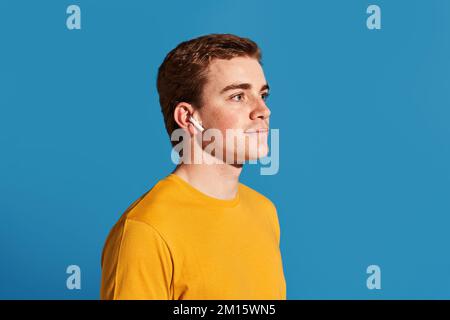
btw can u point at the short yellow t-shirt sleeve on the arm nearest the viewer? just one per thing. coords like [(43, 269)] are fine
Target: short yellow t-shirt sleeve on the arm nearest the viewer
[(144, 264)]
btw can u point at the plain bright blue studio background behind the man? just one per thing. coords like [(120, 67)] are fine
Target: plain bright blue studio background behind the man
[(364, 137)]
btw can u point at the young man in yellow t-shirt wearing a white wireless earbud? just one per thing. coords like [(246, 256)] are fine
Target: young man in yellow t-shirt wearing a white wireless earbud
[(199, 233)]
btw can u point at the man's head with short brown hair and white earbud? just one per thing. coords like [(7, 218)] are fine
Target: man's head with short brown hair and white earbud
[(217, 79)]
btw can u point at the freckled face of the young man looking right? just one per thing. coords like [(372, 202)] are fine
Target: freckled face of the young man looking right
[(234, 98)]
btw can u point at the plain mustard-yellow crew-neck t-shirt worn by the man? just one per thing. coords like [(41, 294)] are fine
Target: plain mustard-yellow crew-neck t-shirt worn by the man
[(176, 242)]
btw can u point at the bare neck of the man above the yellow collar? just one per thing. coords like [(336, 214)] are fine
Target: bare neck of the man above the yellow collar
[(216, 180)]
